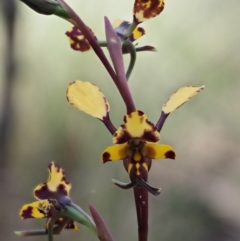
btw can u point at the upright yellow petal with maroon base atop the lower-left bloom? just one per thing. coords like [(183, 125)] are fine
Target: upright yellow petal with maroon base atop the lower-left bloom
[(57, 184)]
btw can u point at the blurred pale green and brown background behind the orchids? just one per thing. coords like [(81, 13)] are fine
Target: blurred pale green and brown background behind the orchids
[(198, 43)]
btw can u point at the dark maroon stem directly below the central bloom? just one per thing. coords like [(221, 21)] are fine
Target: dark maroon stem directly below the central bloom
[(141, 202)]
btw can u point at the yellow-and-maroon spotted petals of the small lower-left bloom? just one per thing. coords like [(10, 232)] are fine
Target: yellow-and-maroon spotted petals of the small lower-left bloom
[(56, 187)]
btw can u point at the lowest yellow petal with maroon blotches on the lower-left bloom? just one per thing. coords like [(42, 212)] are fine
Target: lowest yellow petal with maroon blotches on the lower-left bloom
[(38, 209)]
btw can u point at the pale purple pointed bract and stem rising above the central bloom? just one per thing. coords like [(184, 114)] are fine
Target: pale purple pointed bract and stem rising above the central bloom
[(115, 50)]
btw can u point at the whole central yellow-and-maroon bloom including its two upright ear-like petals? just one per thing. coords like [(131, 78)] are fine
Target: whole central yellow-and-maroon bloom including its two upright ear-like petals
[(135, 141)]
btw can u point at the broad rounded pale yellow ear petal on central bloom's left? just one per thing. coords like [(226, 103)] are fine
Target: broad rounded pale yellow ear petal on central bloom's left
[(88, 98)]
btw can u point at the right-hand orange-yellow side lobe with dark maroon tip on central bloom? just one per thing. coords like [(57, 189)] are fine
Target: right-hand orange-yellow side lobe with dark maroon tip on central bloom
[(158, 151)]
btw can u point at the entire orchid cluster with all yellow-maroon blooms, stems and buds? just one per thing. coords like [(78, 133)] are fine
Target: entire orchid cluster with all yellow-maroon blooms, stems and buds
[(136, 141)]
